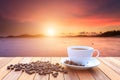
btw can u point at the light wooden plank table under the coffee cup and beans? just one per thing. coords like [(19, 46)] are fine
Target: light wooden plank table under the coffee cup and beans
[(109, 69)]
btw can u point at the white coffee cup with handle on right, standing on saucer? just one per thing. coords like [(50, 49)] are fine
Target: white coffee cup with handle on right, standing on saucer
[(81, 54)]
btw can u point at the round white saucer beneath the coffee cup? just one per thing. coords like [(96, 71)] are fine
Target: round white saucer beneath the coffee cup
[(92, 63)]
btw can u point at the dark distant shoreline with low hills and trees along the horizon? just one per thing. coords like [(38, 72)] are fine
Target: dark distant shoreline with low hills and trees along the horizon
[(113, 33)]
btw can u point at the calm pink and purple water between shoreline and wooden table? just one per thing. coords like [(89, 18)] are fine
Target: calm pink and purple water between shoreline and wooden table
[(108, 46)]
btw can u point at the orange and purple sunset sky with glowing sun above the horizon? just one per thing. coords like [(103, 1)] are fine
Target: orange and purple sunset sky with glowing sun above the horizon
[(58, 16)]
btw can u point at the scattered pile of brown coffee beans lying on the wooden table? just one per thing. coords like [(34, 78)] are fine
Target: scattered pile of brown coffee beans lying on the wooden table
[(42, 68)]
